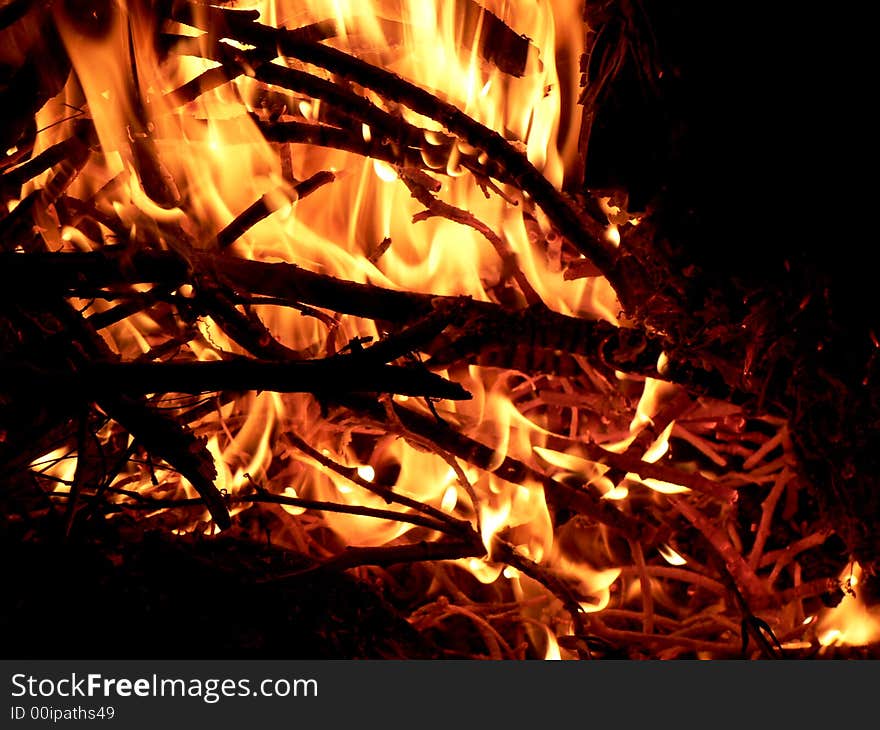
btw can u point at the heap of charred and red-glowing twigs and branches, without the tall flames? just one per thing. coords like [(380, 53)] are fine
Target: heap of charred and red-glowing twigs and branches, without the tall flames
[(711, 548)]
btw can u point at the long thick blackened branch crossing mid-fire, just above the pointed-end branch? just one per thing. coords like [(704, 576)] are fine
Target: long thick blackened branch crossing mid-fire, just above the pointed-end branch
[(625, 349)]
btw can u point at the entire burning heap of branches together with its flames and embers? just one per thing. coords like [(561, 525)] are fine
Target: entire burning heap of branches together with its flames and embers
[(312, 269)]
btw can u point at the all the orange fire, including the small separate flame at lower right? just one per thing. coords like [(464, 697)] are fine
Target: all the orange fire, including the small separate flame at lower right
[(214, 150)]
